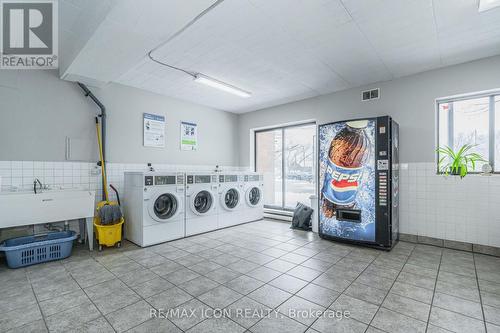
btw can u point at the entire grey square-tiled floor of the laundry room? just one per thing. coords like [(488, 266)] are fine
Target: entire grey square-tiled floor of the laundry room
[(257, 267)]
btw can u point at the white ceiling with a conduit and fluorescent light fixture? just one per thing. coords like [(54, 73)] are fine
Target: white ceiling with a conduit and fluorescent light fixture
[(280, 50)]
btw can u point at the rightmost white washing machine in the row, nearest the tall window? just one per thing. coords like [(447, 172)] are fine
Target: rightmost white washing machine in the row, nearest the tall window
[(253, 189)]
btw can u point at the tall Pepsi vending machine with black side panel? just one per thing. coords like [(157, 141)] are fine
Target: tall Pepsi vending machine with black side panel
[(358, 179)]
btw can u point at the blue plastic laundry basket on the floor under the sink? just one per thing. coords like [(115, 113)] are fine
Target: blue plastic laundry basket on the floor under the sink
[(30, 250)]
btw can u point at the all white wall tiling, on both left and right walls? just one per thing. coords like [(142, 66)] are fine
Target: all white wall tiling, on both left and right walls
[(466, 210)]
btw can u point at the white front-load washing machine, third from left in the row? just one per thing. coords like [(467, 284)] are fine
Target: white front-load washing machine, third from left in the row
[(231, 197)]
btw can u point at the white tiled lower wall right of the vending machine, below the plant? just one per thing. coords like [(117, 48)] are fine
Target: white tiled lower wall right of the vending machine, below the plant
[(466, 210)]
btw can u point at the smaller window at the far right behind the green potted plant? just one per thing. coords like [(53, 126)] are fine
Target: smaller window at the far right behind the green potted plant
[(472, 120)]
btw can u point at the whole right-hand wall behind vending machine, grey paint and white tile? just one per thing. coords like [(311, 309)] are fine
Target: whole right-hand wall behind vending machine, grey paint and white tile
[(460, 210)]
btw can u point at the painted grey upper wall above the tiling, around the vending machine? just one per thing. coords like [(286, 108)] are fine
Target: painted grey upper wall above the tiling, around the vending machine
[(410, 101)]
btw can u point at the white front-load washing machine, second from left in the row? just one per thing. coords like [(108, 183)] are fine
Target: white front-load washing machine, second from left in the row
[(201, 202)]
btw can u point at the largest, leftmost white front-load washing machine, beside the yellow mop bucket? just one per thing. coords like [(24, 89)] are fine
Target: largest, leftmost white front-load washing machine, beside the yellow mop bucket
[(154, 205)]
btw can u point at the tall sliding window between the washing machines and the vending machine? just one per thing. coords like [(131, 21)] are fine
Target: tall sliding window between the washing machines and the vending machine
[(285, 156)]
